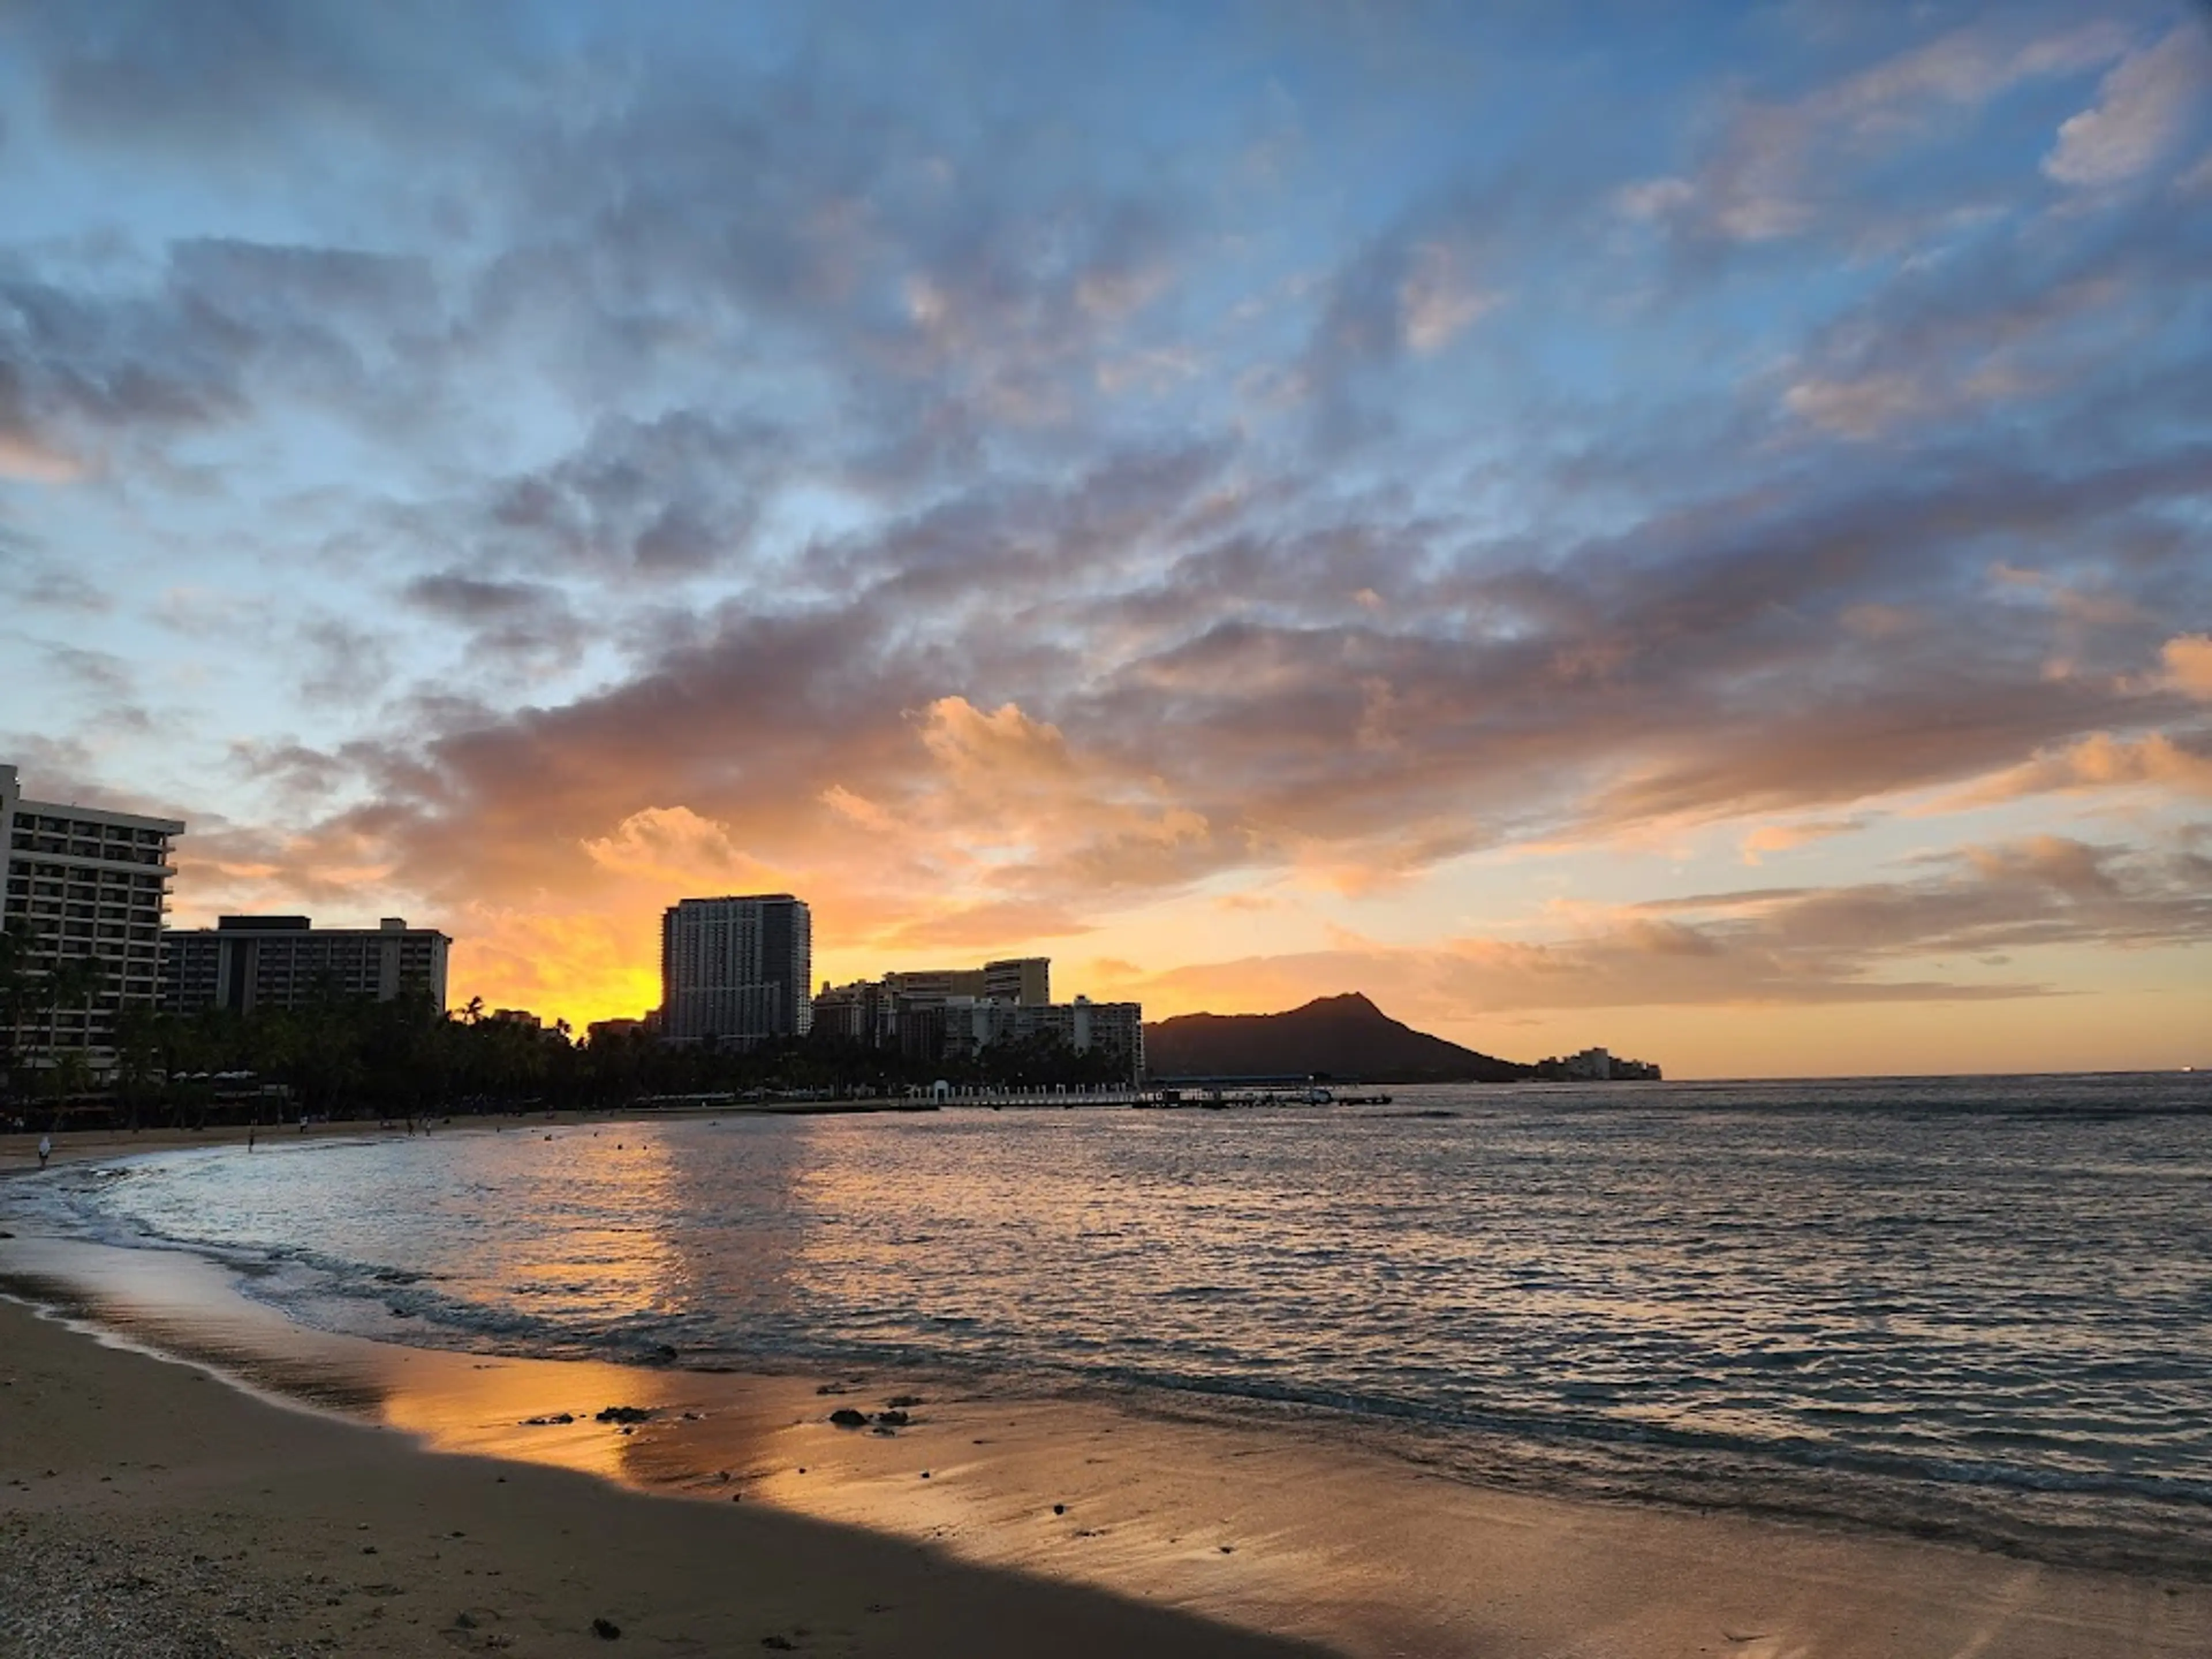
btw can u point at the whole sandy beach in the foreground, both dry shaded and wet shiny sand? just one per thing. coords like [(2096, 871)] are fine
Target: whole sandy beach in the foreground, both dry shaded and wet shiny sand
[(1231, 1525)]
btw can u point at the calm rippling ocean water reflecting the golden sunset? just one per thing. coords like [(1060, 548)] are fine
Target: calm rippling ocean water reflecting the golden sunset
[(1976, 1308)]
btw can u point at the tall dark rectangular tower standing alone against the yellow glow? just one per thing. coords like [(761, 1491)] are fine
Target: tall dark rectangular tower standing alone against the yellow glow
[(738, 970)]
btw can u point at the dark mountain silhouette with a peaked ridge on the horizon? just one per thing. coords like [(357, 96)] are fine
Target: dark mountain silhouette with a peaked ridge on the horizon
[(1344, 1036)]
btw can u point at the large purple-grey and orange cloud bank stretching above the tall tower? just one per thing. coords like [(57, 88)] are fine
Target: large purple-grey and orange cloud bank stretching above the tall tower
[(1242, 711)]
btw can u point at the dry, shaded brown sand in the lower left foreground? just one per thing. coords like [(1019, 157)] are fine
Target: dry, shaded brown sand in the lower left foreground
[(152, 1512)]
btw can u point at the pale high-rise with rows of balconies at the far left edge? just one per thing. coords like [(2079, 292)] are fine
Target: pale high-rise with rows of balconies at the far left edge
[(83, 886)]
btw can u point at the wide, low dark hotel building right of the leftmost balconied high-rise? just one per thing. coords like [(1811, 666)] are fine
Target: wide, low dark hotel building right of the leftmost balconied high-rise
[(253, 963)]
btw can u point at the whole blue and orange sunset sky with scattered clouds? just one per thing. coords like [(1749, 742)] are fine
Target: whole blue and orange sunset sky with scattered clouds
[(1671, 528)]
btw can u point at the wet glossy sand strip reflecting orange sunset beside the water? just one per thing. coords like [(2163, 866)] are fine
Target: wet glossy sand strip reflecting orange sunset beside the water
[(1240, 1523)]
